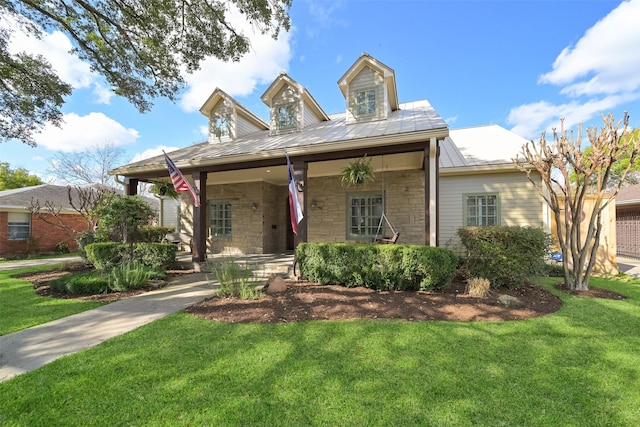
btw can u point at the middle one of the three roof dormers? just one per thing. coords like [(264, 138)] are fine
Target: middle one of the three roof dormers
[(291, 106)]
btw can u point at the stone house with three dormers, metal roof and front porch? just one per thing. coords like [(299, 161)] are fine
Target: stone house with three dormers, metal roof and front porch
[(429, 180)]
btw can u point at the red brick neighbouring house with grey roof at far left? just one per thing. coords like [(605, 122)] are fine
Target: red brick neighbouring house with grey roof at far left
[(22, 232)]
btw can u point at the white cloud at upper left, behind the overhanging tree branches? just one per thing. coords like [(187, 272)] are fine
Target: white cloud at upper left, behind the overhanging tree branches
[(56, 47)]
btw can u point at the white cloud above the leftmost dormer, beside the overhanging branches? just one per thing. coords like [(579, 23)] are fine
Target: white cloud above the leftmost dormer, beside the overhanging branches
[(261, 65)]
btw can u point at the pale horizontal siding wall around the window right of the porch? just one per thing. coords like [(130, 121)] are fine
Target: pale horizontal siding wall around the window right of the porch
[(520, 203)]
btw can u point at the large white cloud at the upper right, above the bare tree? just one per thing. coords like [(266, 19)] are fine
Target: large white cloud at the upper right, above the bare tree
[(599, 73)]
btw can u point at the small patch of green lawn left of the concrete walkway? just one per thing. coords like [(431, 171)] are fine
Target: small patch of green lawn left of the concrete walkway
[(21, 307)]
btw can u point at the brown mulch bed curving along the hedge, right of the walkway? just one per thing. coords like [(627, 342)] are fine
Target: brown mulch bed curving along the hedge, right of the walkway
[(310, 301)]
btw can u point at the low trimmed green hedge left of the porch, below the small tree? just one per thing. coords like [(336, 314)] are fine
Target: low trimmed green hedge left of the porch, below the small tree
[(105, 256)]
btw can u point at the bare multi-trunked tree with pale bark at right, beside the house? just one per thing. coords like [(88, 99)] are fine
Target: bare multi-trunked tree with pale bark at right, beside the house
[(569, 174)]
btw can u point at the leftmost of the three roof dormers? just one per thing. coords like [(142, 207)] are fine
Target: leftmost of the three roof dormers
[(228, 119)]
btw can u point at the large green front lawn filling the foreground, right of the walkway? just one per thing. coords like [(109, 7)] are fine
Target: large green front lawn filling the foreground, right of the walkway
[(577, 367)]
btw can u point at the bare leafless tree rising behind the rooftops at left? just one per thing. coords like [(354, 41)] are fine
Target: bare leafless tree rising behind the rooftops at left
[(90, 166)]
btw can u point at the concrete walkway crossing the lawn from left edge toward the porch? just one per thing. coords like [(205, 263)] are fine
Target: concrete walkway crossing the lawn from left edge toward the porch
[(32, 348)]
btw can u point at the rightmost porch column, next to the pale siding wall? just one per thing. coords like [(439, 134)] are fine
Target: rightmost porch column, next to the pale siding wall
[(431, 193)]
